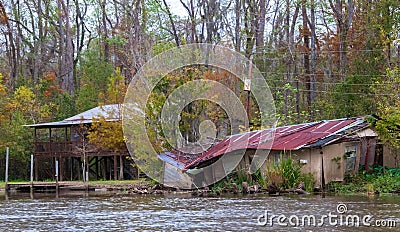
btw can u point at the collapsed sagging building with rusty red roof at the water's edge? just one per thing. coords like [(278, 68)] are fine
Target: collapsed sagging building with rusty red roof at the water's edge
[(328, 149)]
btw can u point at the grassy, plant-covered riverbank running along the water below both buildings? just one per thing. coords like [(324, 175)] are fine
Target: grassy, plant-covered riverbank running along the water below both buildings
[(376, 181)]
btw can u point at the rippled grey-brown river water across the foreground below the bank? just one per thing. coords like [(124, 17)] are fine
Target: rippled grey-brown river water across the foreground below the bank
[(182, 212)]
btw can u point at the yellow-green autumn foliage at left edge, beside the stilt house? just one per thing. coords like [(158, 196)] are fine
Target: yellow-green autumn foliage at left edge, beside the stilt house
[(26, 105)]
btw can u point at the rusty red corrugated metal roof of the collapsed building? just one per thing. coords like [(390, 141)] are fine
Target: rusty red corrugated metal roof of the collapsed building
[(294, 137)]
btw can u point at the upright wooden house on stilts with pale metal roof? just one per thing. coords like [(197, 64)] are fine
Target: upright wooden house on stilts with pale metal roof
[(66, 143)]
